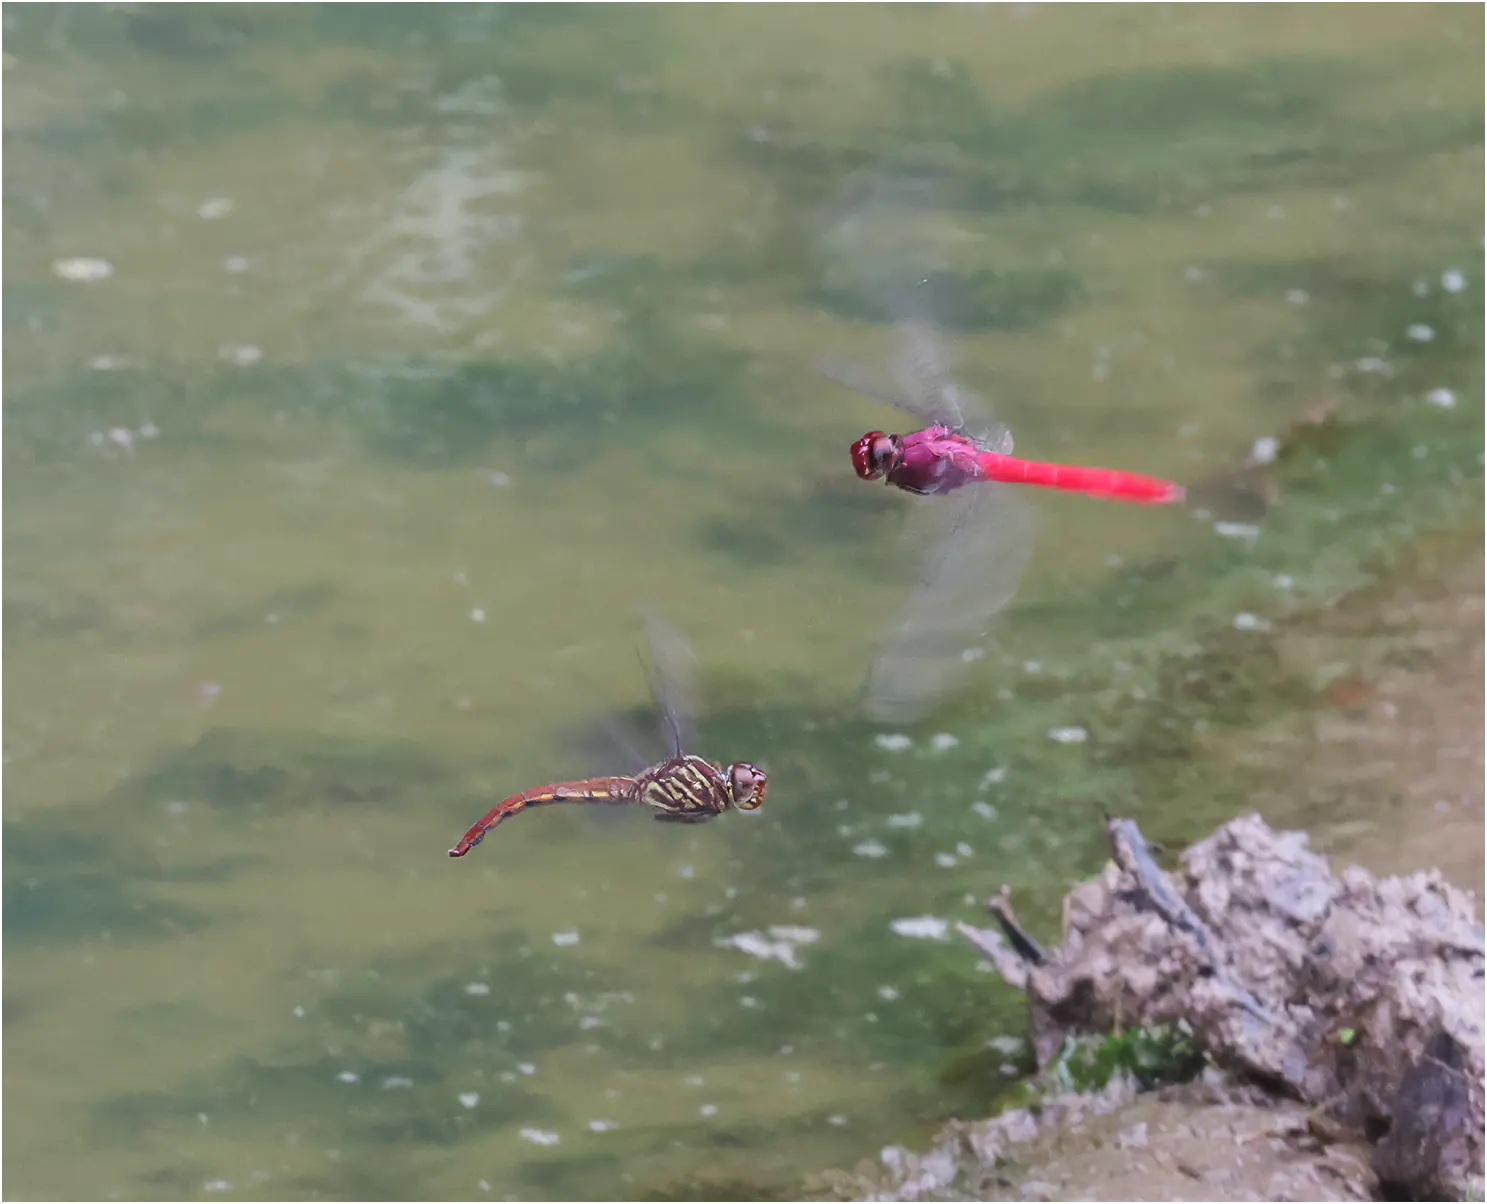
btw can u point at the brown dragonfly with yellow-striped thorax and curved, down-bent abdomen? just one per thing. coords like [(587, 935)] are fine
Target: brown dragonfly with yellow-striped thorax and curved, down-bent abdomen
[(683, 789)]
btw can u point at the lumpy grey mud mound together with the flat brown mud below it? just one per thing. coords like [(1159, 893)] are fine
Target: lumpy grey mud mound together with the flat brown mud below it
[(1342, 1016)]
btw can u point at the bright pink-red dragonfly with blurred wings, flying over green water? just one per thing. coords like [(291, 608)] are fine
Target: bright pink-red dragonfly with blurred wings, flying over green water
[(893, 240)]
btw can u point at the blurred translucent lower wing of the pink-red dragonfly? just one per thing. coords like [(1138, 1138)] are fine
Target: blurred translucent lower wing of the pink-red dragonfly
[(972, 572)]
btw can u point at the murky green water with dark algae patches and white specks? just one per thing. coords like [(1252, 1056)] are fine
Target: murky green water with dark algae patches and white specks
[(435, 340)]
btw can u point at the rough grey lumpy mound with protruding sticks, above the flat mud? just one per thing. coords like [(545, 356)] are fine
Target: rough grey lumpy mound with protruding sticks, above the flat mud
[(1360, 997)]
